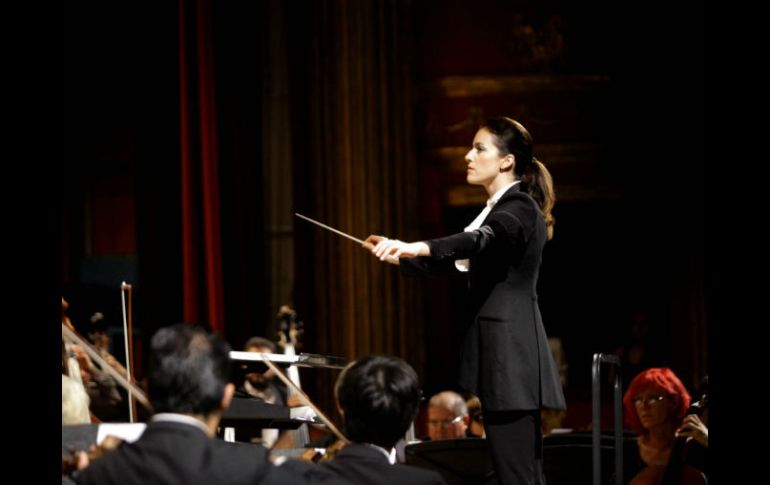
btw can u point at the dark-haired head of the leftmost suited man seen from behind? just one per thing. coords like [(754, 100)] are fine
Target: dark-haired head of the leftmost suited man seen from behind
[(189, 371)]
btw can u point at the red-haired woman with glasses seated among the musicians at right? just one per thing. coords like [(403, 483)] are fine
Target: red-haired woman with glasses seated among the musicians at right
[(654, 406)]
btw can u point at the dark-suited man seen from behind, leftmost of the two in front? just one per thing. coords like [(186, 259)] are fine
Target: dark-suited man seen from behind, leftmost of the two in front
[(188, 390)]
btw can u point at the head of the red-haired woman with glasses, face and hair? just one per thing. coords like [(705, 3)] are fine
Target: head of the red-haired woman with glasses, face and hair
[(655, 397)]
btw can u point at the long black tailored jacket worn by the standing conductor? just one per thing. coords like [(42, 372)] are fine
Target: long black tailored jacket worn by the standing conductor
[(505, 358)]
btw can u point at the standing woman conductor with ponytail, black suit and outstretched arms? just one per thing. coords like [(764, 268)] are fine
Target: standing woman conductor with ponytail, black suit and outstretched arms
[(505, 357)]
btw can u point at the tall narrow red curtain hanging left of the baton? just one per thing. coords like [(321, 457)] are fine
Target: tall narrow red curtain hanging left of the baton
[(201, 235)]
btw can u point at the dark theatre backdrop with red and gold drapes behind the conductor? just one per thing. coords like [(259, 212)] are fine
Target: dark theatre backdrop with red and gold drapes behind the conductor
[(192, 131)]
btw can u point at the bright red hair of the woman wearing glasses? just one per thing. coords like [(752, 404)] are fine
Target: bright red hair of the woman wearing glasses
[(660, 379)]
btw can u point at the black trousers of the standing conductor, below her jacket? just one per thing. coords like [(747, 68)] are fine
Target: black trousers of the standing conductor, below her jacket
[(516, 443)]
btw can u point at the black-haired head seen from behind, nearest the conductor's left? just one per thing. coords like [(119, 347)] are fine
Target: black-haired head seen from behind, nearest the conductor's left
[(378, 396)]
